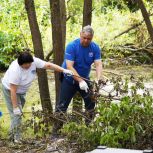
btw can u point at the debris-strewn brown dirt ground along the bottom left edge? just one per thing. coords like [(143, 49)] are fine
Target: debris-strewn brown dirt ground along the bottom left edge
[(38, 146)]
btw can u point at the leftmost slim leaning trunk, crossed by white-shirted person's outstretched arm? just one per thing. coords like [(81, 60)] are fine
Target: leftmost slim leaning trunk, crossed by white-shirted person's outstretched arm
[(38, 51)]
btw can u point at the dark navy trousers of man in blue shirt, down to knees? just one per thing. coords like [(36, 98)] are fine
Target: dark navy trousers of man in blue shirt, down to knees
[(67, 92)]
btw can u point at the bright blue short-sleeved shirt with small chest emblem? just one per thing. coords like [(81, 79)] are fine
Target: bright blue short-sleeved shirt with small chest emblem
[(83, 57)]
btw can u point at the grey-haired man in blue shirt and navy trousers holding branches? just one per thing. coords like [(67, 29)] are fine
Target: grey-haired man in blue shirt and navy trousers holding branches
[(80, 54)]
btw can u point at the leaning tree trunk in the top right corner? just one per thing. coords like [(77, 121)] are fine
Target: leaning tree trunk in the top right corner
[(146, 18)]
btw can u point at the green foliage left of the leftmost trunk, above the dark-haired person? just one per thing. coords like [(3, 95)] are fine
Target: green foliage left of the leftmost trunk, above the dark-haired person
[(11, 38)]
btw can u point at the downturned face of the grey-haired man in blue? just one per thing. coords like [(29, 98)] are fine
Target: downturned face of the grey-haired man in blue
[(85, 38)]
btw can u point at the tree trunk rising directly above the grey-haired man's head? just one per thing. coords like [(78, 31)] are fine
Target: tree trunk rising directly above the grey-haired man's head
[(87, 12)]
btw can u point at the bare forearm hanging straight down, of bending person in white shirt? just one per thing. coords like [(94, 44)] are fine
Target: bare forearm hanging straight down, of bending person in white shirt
[(13, 89)]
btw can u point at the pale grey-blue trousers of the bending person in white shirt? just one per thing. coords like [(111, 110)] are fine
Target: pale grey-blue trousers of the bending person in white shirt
[(15, 127)]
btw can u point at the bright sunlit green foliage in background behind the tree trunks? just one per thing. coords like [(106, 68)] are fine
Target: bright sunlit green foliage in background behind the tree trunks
[(109, 18)]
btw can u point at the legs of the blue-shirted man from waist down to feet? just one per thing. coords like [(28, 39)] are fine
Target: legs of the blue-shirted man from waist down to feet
[(67, 92)]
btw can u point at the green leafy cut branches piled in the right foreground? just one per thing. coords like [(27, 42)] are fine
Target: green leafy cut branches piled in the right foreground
[(126, 124)]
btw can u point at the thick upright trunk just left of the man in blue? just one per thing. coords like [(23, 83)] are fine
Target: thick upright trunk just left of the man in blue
[(58, 20)]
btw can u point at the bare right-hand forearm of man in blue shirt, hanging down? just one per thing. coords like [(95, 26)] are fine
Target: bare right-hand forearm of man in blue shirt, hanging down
[(98, 65)]
